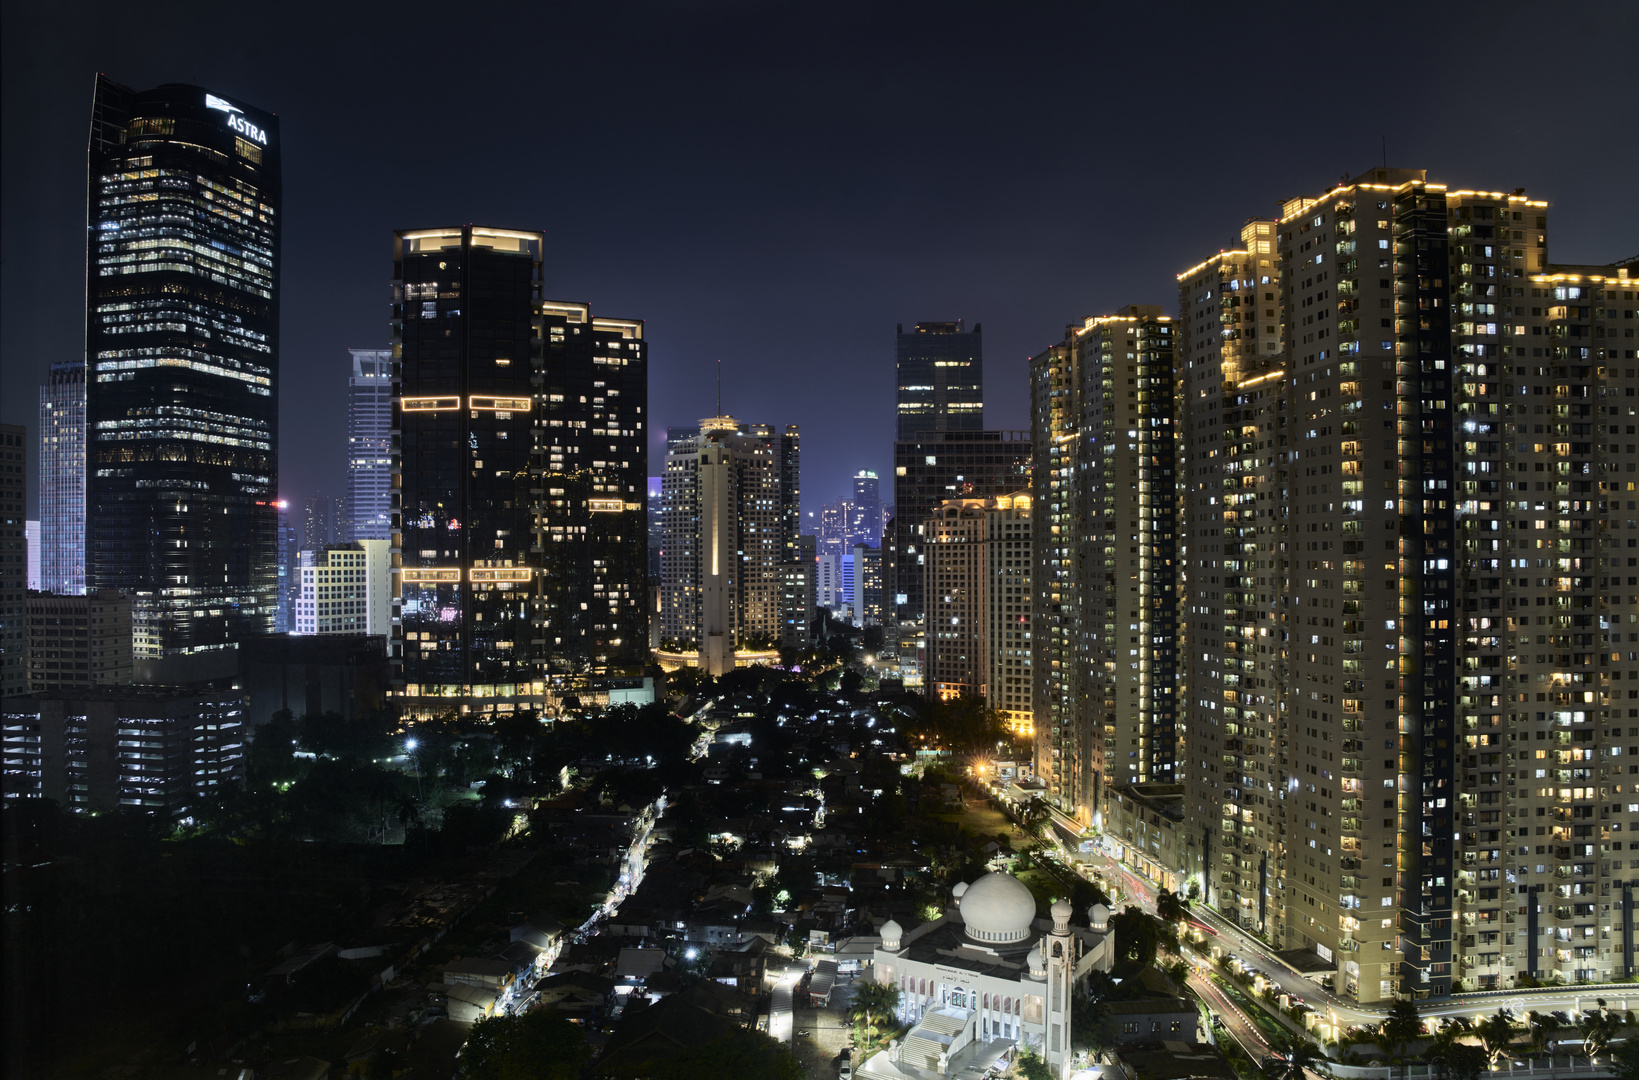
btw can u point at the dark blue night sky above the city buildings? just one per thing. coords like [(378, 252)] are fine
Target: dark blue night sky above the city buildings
[(776, 186)]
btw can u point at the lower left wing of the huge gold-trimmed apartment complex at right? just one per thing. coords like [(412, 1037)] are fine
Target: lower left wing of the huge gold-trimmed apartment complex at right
[(1237, 424)]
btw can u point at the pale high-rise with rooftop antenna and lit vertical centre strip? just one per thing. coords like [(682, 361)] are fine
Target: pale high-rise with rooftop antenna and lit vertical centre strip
[(727, 520)]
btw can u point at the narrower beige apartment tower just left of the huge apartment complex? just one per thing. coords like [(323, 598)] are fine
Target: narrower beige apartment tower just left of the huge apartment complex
[(1107, 551)]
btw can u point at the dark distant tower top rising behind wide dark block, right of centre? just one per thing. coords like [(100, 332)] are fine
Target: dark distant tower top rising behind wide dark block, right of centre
[(942, 379)]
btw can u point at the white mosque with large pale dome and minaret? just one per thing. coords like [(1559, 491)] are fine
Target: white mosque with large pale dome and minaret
[(991, 971)]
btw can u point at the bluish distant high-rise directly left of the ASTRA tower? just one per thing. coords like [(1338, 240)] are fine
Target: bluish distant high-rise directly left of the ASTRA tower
[(63, 479)]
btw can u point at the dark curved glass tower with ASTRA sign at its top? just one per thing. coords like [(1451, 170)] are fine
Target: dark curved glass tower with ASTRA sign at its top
[(183, 363)]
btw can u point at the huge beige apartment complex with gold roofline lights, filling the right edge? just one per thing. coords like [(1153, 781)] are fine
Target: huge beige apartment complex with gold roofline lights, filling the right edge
[(1409, 609)]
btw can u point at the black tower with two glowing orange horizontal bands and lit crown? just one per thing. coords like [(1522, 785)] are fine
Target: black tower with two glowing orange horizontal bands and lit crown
[(468, 325)]
